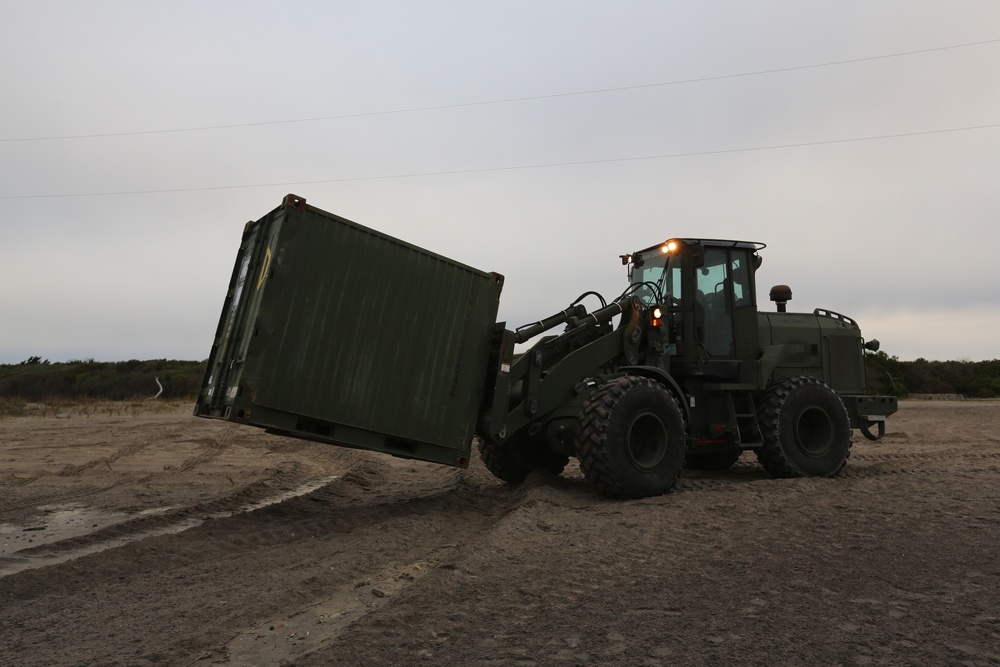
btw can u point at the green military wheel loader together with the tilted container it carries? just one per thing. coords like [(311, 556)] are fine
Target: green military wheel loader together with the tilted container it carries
[(336, 332)]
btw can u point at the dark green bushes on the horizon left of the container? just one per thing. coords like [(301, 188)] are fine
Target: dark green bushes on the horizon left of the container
[(37, 380)]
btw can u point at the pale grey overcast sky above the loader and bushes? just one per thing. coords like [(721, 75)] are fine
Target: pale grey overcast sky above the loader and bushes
[(860, 140)]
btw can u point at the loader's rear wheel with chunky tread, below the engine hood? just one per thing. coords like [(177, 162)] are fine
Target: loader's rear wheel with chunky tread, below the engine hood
[(805, 429)]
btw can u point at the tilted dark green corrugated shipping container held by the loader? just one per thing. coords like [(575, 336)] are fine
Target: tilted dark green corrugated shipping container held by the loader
[(335, 332)]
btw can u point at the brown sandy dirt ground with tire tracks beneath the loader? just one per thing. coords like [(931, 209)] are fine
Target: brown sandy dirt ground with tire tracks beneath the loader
[(161, 539)]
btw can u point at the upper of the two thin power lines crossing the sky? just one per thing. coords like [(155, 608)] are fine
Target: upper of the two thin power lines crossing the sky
[(507, 100)]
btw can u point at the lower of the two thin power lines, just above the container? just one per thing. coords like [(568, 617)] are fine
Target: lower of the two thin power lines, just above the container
[(508, 168)]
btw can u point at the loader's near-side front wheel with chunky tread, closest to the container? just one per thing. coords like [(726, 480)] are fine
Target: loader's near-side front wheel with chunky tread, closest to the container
[(632, 438)]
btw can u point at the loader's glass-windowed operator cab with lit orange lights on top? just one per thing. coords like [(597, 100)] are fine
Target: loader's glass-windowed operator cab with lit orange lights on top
[(708, 288)]
